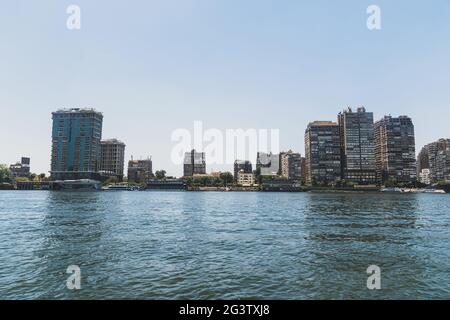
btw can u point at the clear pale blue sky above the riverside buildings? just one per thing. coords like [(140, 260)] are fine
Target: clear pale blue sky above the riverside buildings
[(154, 66)]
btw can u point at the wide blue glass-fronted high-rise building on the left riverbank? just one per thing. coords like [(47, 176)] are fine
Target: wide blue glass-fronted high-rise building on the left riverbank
[(76, 136)]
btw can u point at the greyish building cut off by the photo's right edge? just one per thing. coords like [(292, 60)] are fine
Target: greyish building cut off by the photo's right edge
[(435, 156)]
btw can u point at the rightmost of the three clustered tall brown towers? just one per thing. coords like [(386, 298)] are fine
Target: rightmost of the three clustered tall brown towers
[(395, 151)]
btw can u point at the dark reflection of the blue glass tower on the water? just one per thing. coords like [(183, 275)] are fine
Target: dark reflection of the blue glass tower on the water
[(73, 226)]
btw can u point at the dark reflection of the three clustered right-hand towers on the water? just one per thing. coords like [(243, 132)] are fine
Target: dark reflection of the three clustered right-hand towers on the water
[(349, 233)]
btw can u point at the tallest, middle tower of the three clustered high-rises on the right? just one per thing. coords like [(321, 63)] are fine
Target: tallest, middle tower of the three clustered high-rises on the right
[(357, 146)]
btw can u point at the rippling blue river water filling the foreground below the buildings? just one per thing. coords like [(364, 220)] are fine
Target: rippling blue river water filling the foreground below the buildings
[(174, 245)]
